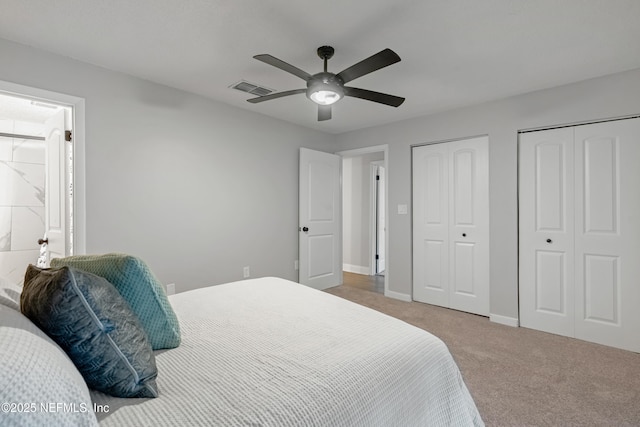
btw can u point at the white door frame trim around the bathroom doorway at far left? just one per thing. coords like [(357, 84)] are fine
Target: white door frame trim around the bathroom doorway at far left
[(77, 106)]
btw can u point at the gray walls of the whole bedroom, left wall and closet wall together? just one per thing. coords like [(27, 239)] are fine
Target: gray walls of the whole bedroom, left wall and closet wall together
[(200, 189)]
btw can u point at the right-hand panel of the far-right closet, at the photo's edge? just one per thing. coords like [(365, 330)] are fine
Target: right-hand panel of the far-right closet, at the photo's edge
[(607, 230)]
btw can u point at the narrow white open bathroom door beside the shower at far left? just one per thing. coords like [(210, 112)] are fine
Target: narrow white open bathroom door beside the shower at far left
[(56, 188)]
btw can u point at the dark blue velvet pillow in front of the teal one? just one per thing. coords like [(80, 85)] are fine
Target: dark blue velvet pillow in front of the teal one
[(87, 317)]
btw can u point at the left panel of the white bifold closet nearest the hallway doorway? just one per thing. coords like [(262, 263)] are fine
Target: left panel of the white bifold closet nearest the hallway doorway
[(431, 224)]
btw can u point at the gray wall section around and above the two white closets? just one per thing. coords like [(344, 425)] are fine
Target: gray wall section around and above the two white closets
[(610, 96)]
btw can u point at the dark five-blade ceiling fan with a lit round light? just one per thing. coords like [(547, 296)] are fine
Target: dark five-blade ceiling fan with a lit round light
[(326, 88)]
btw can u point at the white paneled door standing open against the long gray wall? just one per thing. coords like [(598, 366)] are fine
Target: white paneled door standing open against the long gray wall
[(320, 224)]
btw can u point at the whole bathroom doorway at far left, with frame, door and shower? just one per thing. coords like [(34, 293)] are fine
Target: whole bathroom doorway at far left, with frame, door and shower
[(37, 188)]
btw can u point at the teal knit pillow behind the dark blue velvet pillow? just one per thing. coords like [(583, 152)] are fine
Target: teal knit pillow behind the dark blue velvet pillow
[(139, 287)]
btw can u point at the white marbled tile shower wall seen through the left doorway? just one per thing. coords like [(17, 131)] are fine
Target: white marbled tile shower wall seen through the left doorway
[(22, 186)]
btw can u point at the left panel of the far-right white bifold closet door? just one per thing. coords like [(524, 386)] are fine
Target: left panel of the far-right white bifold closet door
[(546, 231)]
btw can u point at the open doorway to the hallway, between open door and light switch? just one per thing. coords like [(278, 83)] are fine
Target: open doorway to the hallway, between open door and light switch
[(364, 217)]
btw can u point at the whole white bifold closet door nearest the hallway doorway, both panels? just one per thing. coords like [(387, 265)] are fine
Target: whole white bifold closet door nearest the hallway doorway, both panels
[(451, 225)]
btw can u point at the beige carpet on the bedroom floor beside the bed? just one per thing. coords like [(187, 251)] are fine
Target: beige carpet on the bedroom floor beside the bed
[(522, 377)]
